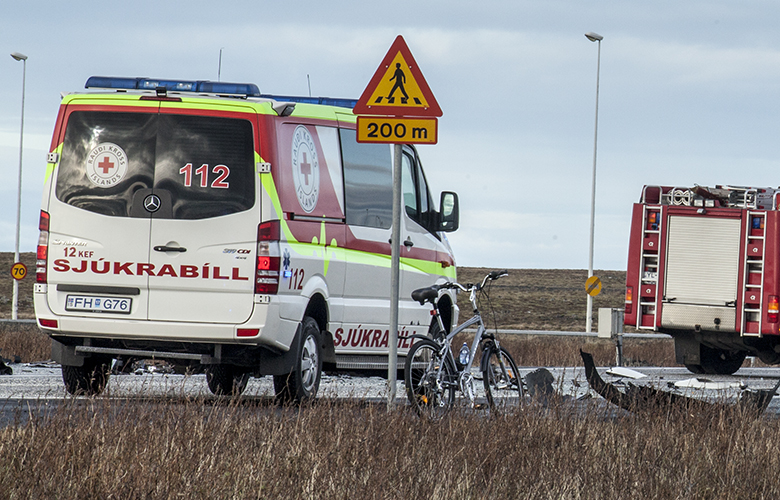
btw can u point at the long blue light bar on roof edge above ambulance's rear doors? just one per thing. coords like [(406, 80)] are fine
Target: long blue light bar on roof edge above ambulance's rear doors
[(107, 82)]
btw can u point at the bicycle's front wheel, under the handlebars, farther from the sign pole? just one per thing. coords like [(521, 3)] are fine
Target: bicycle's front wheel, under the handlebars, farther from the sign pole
[(503, 385)]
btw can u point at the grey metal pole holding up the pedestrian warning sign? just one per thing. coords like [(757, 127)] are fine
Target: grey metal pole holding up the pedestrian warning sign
[(395, 265)]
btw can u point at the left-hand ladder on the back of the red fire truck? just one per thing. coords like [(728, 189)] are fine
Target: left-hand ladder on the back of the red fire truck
[(648, 269)]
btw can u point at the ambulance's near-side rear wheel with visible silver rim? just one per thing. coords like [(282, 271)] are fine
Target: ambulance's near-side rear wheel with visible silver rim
[(302, 383)]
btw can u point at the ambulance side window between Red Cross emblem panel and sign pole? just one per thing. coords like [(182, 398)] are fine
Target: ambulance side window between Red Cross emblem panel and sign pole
[(368, 182)]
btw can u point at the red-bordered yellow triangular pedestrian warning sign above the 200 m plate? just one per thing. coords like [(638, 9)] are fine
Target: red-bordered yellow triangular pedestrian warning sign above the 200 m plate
[(398, 87)]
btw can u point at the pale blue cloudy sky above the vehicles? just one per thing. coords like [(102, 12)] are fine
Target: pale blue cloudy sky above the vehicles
[(687, 96)]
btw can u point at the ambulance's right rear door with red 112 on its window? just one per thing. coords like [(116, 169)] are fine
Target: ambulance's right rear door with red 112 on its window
[(204, 215)]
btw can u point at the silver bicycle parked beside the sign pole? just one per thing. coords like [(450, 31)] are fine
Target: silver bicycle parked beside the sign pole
[(433, 374)]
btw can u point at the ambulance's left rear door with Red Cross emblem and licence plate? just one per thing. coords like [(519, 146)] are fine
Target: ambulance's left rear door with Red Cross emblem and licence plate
[(96, 245)]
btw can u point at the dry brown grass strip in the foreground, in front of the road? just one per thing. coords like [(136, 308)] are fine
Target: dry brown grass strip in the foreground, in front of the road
[(113, 449)]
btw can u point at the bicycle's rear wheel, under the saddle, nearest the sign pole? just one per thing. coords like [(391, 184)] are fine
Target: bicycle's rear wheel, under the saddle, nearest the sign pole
[(430, 379)]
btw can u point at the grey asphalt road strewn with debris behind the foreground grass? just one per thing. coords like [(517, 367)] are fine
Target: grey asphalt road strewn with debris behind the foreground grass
[(37, 388)]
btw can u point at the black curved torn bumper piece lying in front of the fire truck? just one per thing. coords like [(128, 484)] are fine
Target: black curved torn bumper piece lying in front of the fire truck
[(642, 398)]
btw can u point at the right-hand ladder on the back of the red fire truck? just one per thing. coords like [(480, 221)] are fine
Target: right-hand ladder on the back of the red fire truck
[(753, 276)]
